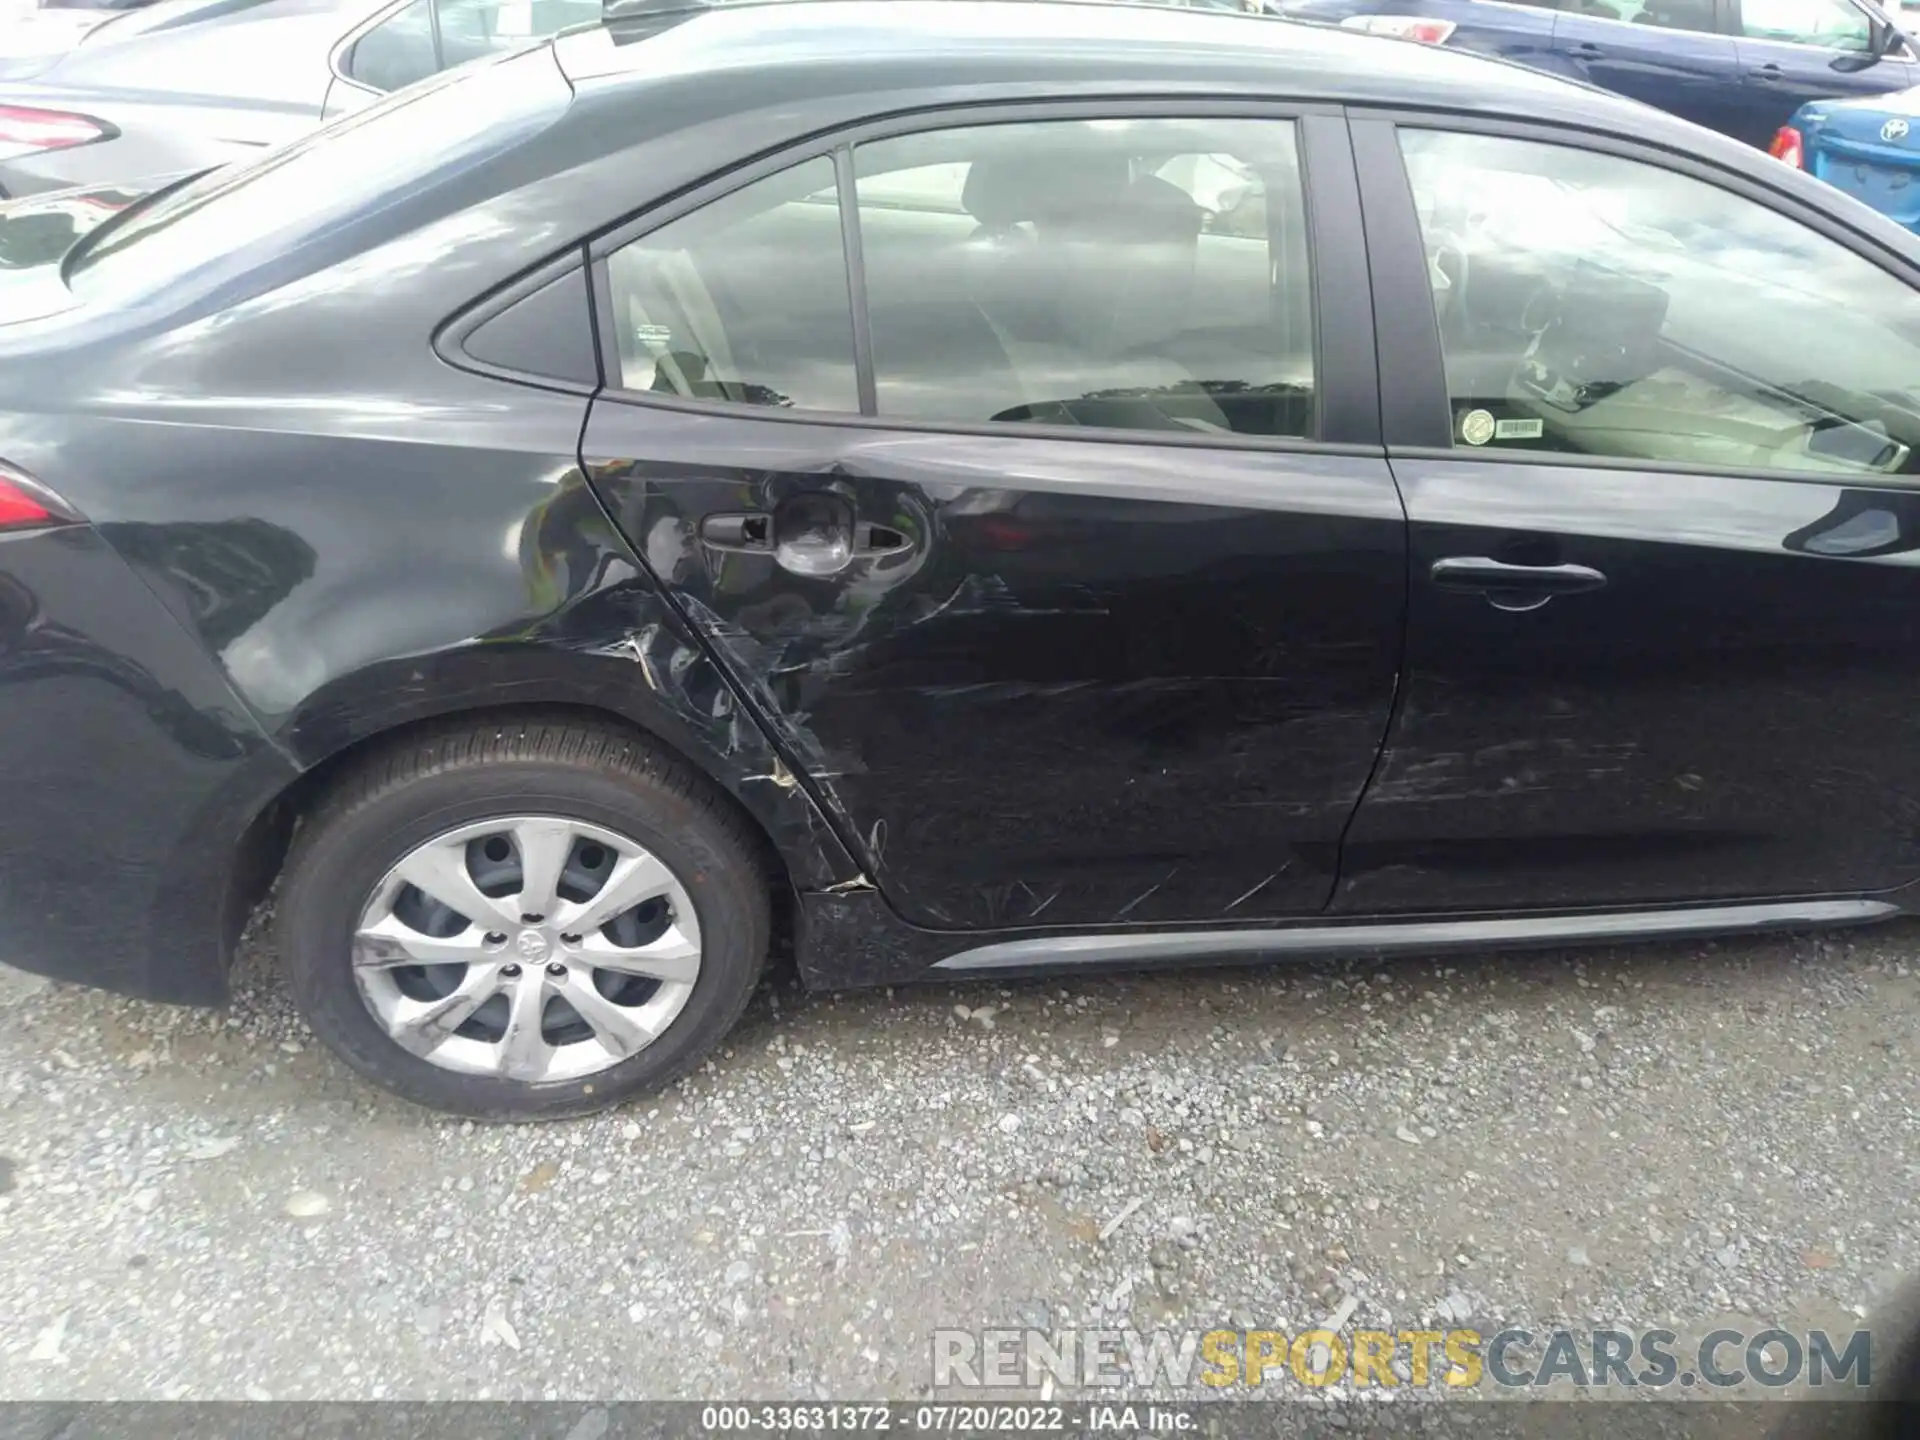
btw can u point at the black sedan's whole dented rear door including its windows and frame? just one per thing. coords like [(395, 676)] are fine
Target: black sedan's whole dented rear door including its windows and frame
[(1055, 540)]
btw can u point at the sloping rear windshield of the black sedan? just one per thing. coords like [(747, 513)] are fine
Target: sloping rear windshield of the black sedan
[(358, 166)]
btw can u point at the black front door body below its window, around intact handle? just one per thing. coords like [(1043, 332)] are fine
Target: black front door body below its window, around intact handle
[(1735, 713)]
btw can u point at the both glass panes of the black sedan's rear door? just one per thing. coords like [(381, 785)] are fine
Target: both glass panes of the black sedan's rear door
[(1116, 276)]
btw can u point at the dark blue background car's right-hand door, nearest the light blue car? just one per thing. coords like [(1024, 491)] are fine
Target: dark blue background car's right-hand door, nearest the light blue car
[(1798, 51)]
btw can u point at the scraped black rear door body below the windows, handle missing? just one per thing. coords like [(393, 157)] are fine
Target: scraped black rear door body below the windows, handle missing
[(1107, 683)]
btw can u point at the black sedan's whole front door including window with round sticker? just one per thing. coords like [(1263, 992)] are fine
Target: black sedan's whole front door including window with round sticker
[(1668, 565)]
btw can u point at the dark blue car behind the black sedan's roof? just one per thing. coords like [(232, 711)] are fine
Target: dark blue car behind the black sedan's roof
[(1735, 66)]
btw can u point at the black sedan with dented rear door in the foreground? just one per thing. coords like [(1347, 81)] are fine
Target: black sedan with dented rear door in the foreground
[(953, 489)]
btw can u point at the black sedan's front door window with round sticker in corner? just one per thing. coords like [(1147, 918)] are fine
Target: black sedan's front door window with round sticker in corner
[(1598, 306)]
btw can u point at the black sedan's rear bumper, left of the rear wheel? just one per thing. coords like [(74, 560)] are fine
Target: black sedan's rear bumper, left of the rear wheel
[(128, 767)]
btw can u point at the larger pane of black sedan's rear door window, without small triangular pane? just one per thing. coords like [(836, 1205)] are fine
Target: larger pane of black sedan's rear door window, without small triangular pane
[(1126, 274)]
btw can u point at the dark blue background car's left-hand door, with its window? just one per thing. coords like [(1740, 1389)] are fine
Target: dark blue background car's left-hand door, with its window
[(1671, 55)]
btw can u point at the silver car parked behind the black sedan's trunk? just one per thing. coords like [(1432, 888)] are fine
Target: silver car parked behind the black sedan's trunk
[(185, 85)]
